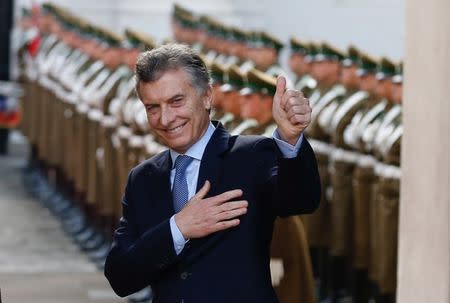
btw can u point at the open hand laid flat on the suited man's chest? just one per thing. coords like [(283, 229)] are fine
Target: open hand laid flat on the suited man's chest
[(203, 216)]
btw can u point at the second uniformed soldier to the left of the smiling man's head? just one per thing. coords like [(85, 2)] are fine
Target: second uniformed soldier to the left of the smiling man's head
[(96, 99)]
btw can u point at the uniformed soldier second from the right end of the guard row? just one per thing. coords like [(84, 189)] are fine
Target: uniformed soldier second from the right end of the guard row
[(364, 122)]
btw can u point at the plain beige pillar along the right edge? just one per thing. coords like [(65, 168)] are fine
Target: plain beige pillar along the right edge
[(424, 242)]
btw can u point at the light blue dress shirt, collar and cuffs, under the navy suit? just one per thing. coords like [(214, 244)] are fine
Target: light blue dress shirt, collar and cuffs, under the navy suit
[(196, 152)]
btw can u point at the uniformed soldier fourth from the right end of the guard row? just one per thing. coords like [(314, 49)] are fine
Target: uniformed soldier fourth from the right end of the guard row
[(346, 215)]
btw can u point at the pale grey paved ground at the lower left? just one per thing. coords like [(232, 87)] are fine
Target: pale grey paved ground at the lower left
[(38, 263)]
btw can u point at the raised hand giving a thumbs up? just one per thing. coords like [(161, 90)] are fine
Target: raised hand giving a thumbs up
[(291, 112)]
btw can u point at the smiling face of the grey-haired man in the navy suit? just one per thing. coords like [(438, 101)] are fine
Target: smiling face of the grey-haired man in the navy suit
[(176, 112)]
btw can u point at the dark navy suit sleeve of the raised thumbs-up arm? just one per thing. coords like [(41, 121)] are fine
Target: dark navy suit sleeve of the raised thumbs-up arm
[(294, 183)]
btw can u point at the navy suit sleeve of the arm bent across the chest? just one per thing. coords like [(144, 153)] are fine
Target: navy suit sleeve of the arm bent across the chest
[(137, 260)]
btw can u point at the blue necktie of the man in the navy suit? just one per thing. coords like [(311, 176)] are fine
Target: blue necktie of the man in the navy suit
[(180, 191)]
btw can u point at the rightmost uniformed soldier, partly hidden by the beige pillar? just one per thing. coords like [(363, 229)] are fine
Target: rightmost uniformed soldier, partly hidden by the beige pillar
[(388, 174)]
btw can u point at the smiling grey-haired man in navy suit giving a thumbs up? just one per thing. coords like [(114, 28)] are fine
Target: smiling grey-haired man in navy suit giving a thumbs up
[(198, 218)]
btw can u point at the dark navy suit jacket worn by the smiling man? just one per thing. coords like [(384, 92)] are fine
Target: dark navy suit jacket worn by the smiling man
[(227, 266)]
